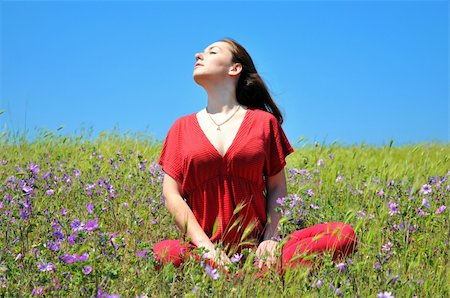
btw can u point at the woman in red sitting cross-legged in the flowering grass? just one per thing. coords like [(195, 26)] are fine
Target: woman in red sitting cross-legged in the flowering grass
[(224, 170)]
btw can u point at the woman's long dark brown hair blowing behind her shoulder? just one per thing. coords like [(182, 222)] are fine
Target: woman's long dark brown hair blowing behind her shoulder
[(251, 90)]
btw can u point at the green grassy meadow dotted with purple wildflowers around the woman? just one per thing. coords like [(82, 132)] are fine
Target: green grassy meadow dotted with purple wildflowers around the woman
[(79, 217)]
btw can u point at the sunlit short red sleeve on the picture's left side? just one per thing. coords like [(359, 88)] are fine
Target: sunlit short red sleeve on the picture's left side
[(171, 159)]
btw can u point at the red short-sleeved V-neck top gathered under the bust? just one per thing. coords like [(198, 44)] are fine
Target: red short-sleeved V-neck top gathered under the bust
[(226, 194)]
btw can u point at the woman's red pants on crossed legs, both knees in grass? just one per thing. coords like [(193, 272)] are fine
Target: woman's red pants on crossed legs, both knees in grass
[(335, 237)]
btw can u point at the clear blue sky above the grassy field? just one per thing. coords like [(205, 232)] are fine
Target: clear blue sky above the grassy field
[(347, 71)]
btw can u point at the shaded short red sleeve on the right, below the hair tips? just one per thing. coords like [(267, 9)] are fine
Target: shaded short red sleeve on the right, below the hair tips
[(277, 148)]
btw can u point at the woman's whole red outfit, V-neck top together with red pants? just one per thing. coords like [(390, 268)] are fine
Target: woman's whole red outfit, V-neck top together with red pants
[(227, 193)]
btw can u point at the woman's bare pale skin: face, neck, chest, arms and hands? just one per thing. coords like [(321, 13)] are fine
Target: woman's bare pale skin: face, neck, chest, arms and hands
[(218, 75)]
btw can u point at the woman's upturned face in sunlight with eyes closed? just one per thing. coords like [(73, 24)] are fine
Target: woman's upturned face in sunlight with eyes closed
[(214, 63)]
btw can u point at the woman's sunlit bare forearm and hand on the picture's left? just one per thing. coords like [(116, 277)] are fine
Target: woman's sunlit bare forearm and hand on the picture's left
[(185, 219)]
